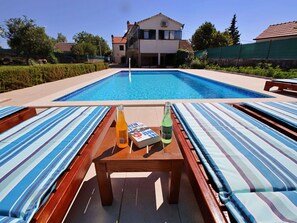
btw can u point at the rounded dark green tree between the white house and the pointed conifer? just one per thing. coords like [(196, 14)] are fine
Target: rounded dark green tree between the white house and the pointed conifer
[(206, 36)]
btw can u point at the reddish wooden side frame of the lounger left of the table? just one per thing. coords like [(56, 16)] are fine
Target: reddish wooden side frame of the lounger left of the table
[(68, 184)]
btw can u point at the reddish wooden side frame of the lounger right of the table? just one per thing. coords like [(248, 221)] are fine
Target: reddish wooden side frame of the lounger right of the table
[(207, 199)]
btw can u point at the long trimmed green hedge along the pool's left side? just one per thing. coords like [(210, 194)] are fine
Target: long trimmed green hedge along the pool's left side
[(17, 77)]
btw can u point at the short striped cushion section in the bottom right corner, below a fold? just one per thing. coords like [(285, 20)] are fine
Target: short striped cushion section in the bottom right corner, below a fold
[(264, 206)]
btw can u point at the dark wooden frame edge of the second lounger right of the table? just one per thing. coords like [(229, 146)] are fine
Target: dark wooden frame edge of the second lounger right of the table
[(268, 120)]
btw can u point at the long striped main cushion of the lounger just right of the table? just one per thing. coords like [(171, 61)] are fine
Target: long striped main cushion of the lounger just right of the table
[(240, 153)]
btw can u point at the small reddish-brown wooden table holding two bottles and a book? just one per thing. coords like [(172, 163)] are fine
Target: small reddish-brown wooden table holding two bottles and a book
[(109, 158)]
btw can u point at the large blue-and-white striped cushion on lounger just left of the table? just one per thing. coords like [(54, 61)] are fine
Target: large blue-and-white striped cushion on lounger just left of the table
[(35, 153)]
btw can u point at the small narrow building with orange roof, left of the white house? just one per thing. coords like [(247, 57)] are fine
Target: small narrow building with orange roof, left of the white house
[(118, 49)]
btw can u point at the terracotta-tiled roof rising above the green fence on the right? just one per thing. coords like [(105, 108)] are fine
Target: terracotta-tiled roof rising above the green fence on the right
[(286, 30)]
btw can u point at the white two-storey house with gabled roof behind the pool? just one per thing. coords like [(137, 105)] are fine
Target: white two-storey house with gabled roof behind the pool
[(153, 41)]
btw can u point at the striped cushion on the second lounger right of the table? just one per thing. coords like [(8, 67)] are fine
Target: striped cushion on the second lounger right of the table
[(283, 111)]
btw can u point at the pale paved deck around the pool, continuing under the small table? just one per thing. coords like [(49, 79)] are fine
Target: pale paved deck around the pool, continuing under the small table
[(138, 197)]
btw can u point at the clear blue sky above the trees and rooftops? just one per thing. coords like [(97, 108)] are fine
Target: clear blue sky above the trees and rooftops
[(107, 17)]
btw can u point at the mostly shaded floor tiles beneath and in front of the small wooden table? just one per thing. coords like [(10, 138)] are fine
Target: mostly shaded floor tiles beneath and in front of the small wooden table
[(138, 197)]
